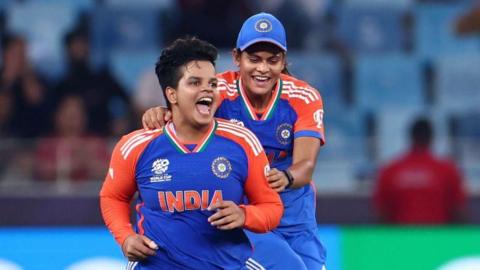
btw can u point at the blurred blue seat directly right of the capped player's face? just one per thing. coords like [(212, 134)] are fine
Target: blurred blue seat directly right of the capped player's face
[(322, 71)]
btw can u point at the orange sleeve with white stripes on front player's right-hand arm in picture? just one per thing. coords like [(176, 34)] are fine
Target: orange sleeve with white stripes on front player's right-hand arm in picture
[(265, 208)]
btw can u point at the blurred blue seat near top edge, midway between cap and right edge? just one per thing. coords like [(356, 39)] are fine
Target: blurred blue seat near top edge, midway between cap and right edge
[(371, 29)]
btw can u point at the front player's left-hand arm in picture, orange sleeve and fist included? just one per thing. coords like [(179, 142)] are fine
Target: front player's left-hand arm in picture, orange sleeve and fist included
[(115, 197)]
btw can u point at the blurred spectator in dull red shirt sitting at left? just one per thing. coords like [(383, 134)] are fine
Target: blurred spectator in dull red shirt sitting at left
[(71, 153)]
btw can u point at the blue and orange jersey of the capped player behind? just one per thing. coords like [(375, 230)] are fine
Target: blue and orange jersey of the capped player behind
[(295, 110)]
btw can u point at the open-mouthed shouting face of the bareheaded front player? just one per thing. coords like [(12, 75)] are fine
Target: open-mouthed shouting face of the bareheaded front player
[(194, 102)]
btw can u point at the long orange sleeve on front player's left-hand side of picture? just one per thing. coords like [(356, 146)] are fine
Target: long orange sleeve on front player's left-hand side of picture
[(120, 185)]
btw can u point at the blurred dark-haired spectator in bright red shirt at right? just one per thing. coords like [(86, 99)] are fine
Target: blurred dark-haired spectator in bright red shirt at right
[(419, 188)]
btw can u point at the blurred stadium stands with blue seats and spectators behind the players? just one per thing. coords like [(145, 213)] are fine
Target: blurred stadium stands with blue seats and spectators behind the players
[(76, 73)]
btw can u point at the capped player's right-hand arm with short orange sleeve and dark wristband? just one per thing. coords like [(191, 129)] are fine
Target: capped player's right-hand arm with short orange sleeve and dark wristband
[(309, 136)]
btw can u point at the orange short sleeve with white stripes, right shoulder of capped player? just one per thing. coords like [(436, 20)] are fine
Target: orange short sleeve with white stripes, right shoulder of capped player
[(308, 104)]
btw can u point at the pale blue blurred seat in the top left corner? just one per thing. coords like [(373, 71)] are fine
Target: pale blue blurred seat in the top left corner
[(43, 31)]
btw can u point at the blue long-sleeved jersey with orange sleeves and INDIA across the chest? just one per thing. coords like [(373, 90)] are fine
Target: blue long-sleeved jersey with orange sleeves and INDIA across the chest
[(177, 182)]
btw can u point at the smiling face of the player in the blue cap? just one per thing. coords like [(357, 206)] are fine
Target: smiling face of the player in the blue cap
[(260, 67)]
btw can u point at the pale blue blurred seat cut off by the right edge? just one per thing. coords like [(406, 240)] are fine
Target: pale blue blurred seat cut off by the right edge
[(457, 81)]
